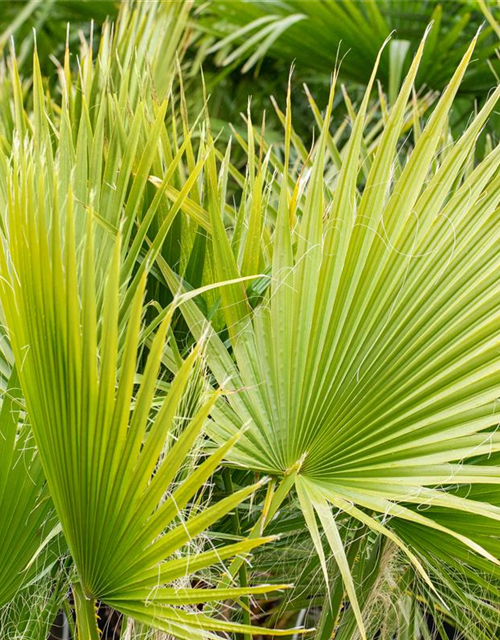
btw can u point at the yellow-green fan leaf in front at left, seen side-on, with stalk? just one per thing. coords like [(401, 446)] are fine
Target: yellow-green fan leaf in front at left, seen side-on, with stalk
[(101, 444)]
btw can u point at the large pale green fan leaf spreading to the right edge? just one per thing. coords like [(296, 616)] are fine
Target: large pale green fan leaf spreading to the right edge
[(372, 363)]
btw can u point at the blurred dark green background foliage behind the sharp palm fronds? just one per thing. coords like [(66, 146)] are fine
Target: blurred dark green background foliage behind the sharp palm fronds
[(249, 39)]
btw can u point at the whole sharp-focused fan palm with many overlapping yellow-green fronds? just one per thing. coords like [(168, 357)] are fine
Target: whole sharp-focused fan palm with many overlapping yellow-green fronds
[(199, 358)]
